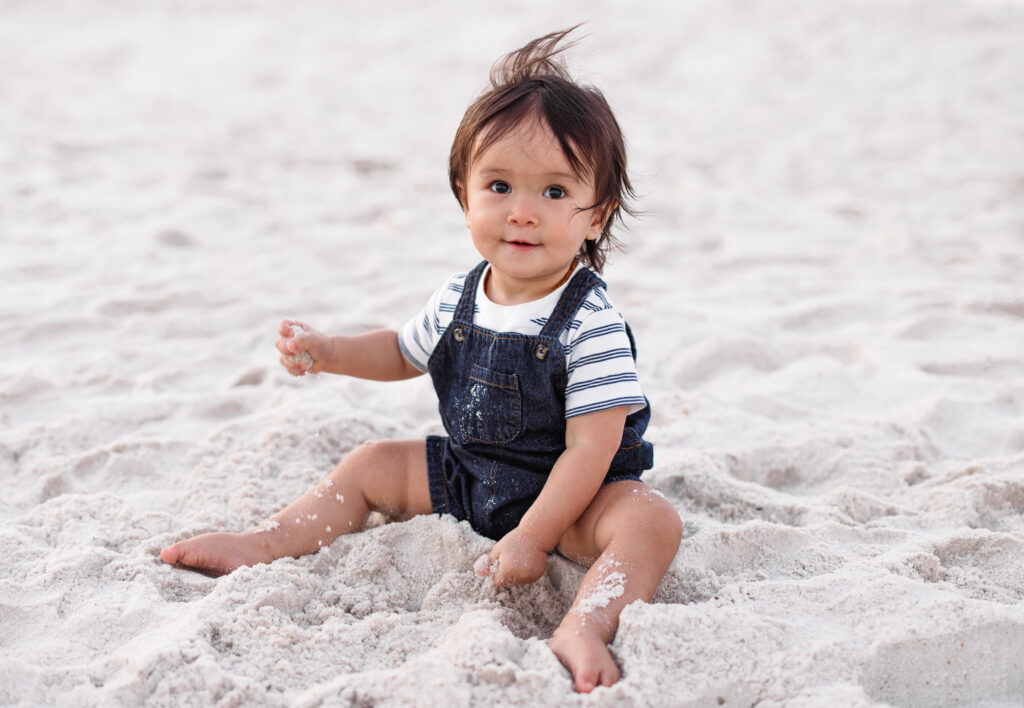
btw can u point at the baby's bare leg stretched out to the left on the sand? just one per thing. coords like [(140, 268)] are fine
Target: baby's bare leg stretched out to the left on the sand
[(389, 477)]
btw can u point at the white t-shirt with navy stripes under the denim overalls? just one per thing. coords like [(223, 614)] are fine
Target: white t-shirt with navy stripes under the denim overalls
[(602, 373)]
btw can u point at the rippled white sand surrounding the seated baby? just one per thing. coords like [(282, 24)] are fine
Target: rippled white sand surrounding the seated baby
[(828, 288)]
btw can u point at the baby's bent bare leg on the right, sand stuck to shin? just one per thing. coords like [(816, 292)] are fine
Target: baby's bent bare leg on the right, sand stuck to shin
[(631, 535)]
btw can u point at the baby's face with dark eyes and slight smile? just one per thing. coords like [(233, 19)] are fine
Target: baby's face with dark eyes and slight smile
[(524, 209)]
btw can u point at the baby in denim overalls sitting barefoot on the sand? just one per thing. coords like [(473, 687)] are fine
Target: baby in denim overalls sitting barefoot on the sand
[(534, 367)]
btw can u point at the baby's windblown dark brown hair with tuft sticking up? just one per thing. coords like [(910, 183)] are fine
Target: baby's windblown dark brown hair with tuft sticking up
[(533, 84)]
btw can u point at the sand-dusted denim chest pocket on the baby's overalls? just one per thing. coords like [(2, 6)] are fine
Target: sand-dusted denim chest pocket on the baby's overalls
[(490, 410)]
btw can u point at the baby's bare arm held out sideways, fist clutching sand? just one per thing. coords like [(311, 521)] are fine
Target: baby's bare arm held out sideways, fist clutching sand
[(372, 356)]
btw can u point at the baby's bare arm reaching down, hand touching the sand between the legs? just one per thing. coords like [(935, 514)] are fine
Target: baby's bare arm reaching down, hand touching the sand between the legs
[(591, 443)]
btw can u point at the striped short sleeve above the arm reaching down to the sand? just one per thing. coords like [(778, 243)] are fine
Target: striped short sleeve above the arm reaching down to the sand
[(602, 371)]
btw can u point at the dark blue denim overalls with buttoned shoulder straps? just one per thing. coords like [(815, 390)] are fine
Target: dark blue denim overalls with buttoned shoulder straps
[(502, 399)]
